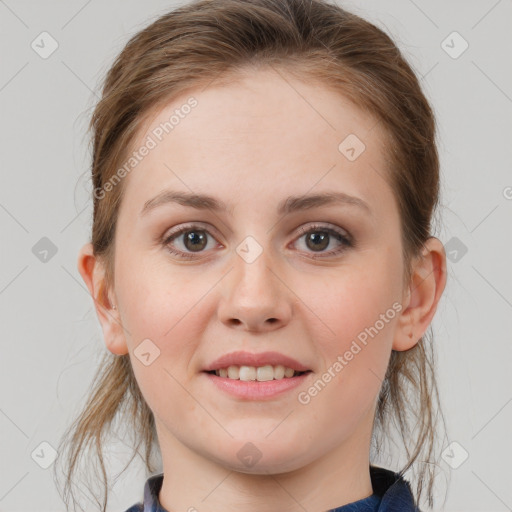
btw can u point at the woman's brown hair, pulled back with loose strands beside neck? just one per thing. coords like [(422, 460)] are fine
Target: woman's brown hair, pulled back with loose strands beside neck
[(313, 40)]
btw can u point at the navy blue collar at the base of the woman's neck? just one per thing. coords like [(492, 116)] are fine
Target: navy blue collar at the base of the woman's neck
[(391, 493)]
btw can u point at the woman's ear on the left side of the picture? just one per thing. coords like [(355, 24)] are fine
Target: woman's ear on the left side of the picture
[(93, 273)]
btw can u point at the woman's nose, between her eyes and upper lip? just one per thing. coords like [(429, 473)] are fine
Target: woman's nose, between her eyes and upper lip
[(255, 297)]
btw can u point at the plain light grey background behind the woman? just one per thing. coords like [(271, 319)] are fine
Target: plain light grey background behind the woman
[(51, 337)]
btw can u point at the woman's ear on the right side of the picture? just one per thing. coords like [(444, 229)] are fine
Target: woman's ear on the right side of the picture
[(422, 295)]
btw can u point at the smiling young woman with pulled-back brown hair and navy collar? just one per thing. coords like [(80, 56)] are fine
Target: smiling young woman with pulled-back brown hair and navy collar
[(261, 263)]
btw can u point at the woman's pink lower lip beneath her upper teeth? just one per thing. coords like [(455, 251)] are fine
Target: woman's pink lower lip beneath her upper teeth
[(256, 390)]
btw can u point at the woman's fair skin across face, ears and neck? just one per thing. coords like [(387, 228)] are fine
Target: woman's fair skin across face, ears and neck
[(252, 143)]
